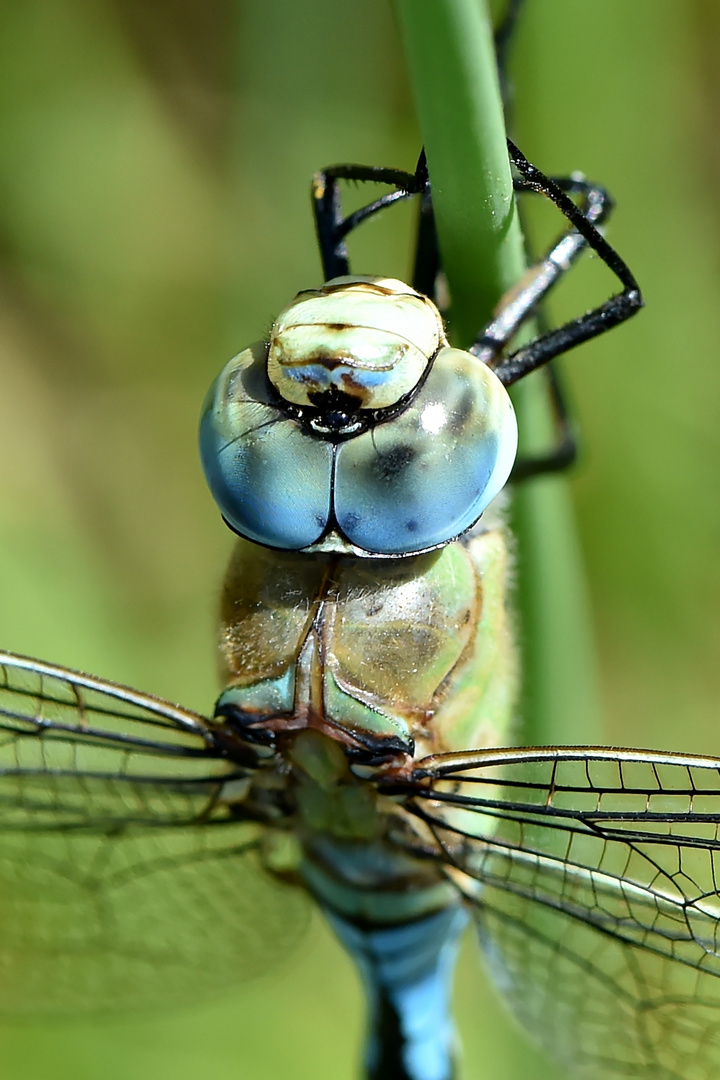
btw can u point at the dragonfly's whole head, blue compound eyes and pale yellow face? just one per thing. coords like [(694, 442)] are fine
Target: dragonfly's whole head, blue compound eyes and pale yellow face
[(393, 484)]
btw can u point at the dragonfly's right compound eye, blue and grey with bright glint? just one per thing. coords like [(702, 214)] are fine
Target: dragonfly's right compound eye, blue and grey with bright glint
[(424, 479)]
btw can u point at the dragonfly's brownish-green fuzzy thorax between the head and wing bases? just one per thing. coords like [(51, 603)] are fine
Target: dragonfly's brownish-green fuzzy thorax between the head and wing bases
[(403, 654)]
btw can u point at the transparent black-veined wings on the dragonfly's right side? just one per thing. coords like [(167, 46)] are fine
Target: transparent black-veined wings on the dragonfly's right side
[(595, 881)]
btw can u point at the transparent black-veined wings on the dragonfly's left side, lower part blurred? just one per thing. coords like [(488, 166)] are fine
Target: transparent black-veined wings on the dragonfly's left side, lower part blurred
[(124, 880)]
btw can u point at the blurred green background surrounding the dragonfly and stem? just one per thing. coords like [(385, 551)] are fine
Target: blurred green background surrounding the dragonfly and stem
[(155, 165)]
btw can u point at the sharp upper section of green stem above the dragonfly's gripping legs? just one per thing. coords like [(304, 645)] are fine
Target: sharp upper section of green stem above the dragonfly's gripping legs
[(452, 62)]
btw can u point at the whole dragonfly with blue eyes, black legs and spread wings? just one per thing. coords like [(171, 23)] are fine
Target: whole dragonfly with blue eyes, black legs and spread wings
[(148, 853)]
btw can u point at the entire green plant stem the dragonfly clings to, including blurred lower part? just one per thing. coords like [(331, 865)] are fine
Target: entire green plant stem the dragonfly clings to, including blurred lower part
[(452, 62)]
